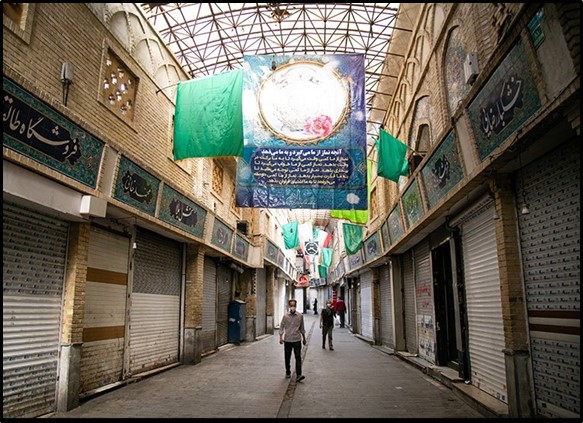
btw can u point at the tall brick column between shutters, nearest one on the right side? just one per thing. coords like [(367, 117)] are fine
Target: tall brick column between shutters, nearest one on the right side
[(517, 357)]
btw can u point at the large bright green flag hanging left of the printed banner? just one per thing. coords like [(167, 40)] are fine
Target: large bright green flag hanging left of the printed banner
[(208, 121)]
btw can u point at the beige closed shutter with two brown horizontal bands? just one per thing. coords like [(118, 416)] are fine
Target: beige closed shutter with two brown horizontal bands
[(105, 310)]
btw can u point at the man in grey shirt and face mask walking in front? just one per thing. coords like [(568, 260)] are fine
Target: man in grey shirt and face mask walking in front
[(292, 334)]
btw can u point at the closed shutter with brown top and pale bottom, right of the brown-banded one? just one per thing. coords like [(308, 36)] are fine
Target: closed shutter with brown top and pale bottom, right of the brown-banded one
[(155, 302)]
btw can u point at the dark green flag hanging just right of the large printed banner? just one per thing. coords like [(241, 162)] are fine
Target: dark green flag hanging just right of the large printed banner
[(392, 157)]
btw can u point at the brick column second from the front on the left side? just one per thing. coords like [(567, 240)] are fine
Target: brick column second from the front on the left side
[(193, 290)]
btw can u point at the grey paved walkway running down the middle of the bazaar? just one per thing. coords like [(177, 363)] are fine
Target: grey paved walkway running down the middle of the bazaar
[(355, 380)]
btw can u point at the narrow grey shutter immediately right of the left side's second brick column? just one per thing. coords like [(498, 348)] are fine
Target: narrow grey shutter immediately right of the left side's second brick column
[(209, 306)]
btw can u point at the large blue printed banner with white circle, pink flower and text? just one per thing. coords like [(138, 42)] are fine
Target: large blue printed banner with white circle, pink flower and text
[(304, 123)]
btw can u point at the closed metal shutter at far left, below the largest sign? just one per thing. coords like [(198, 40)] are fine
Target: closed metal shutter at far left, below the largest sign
[(34, 250)]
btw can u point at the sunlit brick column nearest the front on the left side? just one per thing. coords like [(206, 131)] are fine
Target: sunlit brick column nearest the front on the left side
[(72, 317)]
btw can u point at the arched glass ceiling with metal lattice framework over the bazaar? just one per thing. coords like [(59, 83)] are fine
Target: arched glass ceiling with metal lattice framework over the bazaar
[(209, 38)]
